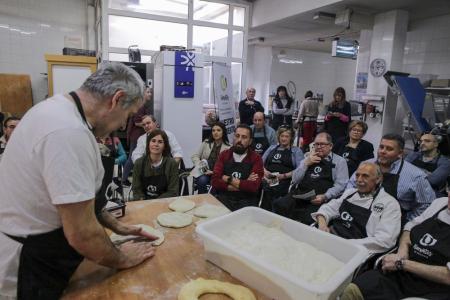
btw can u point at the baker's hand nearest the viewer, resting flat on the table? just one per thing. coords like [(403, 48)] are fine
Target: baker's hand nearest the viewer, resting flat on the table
[(135, 253)]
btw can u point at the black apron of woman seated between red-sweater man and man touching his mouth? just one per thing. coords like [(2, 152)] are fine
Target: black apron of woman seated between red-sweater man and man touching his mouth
[(280, 160)]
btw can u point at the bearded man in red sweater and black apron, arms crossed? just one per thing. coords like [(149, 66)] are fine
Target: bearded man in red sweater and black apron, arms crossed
[(238, 172)]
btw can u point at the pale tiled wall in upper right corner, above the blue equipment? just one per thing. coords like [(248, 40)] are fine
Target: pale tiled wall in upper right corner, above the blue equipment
[(427, 49)]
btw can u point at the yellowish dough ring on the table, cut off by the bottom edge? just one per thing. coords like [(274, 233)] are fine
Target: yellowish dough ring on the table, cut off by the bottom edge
[(200, 286)]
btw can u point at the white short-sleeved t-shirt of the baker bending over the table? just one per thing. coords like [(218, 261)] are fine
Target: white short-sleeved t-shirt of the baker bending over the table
[(51, 159)]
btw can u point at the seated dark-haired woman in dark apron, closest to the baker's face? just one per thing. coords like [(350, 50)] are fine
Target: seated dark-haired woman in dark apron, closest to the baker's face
[(155, 175)]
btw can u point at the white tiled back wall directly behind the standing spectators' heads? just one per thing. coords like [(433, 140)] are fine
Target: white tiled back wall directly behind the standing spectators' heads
[(319, 72)]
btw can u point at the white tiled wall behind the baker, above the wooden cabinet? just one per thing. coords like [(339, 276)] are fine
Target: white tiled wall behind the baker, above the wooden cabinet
[(29, 29)]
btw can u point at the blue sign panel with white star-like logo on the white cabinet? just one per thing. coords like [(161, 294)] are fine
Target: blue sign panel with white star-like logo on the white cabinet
[(184, 74)]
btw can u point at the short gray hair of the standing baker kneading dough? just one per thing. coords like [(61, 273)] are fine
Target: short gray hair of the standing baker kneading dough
[(112, 77)]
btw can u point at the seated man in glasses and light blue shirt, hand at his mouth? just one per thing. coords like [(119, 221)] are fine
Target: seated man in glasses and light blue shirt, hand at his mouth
[(321, 176)]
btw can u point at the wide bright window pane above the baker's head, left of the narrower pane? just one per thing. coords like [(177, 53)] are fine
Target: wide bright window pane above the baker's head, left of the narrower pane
[(146, 34)]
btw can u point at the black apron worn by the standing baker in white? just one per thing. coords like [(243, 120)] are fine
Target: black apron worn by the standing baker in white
[(47, 261)]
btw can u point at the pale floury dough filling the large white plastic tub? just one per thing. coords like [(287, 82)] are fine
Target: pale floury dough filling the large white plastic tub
[(278, 249)]
